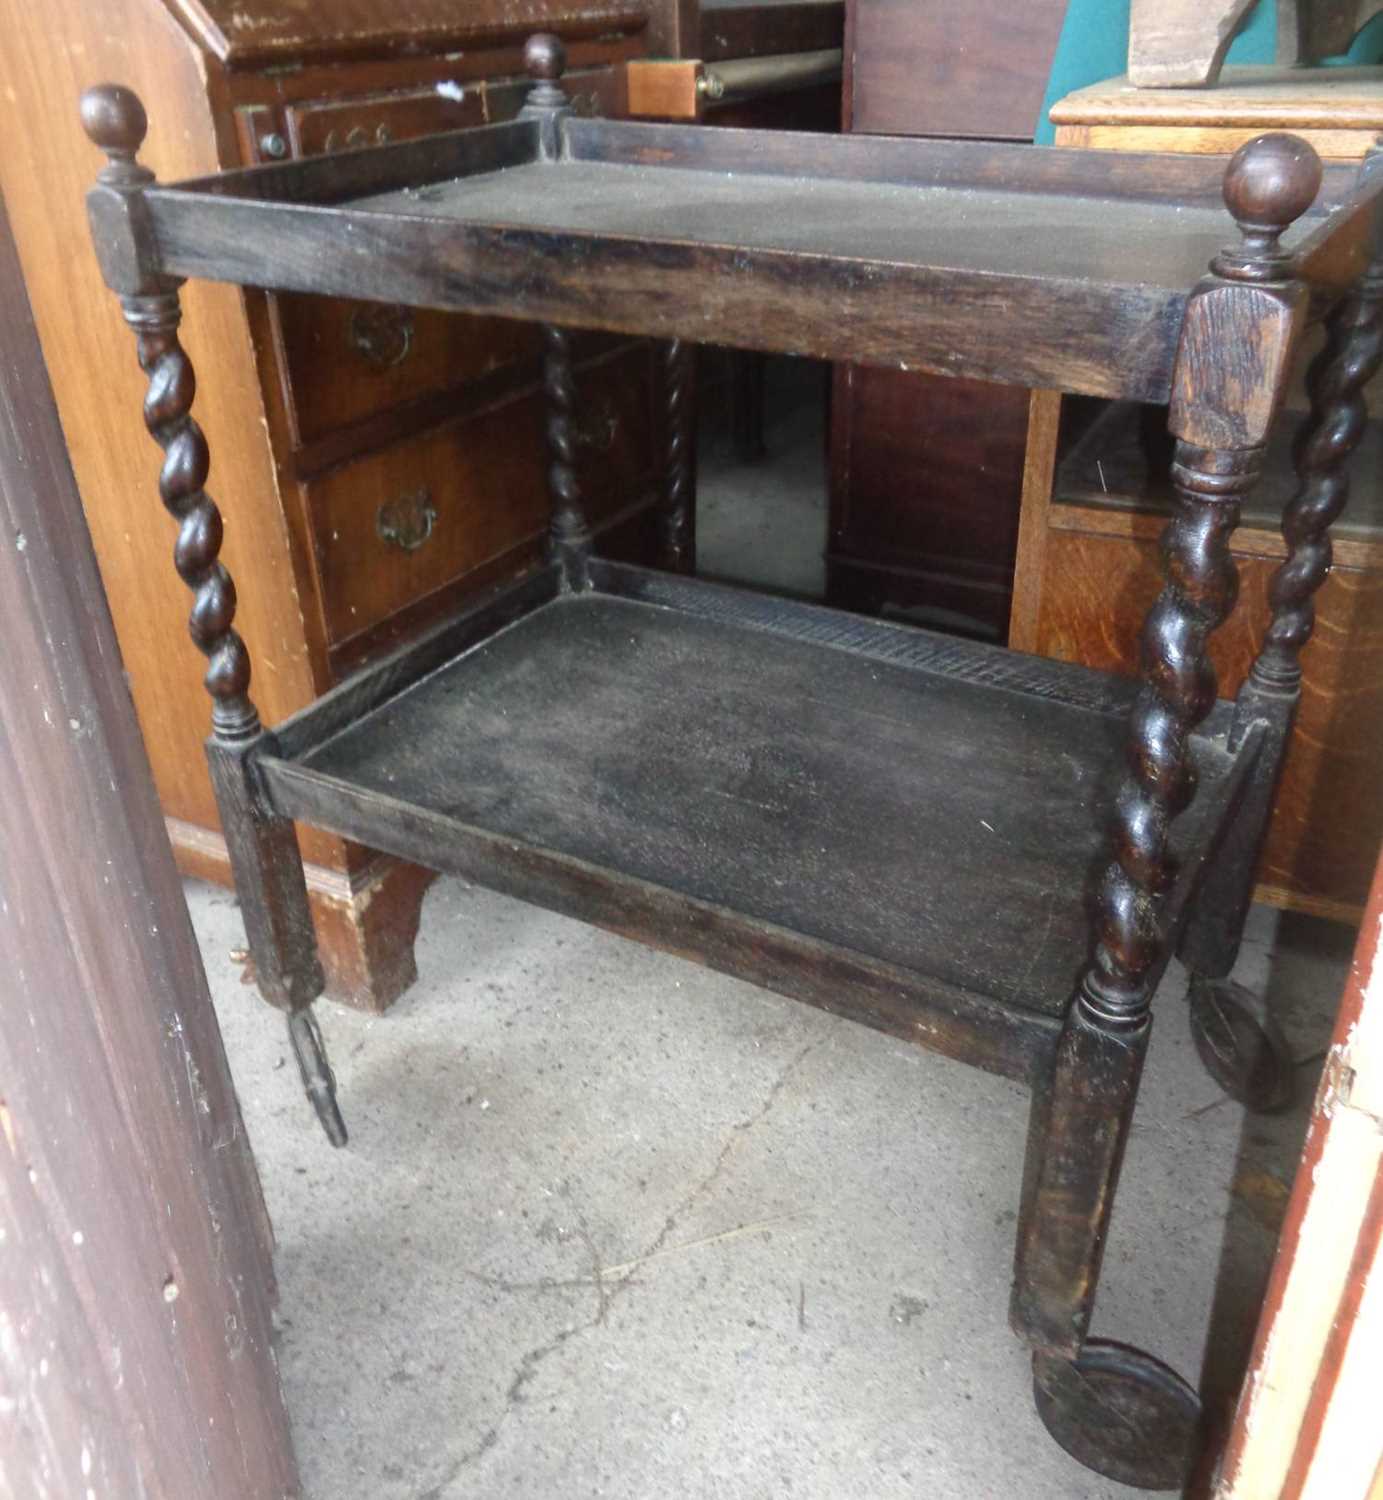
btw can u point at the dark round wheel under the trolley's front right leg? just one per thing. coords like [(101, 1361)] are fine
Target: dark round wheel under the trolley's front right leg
[(1120, 1412)]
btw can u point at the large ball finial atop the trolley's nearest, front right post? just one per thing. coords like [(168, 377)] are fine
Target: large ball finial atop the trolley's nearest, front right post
[(1271, 182)]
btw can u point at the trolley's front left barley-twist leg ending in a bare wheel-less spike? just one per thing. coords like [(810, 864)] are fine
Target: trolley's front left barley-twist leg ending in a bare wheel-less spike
[(263, 847)]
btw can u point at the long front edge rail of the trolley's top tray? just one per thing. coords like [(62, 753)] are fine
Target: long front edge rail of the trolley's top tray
[(899, 316)]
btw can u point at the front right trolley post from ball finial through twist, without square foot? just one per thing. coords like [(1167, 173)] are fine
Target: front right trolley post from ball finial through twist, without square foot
[(1232, 365)]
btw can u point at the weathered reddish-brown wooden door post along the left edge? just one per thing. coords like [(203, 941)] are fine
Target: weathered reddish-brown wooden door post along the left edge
[(136, 1319)]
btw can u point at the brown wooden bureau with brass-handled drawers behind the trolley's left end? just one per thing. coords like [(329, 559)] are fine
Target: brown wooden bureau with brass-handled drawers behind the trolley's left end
[(368, 448)]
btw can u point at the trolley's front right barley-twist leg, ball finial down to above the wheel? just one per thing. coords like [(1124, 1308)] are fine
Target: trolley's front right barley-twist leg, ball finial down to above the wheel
[(1238, 337)]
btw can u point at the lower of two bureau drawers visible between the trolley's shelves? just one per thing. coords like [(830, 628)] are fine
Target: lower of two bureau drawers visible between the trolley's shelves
[(400, 524)]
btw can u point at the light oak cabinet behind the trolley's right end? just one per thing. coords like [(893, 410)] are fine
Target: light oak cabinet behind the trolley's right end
[(1093, 509)]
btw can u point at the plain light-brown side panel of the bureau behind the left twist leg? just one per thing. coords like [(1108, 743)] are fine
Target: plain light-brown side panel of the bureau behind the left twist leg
[(100, 389)]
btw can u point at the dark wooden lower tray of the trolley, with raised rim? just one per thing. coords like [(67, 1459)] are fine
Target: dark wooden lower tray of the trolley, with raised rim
[(893, 824)]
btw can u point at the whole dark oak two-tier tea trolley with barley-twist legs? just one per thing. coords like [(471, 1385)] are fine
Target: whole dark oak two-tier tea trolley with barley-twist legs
[(986, 854)]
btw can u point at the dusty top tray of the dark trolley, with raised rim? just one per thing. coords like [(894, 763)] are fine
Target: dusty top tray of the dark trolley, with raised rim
[(1040, 268)]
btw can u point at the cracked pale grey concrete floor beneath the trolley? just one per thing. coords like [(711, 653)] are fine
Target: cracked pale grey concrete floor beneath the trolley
[(611, 1225)]
